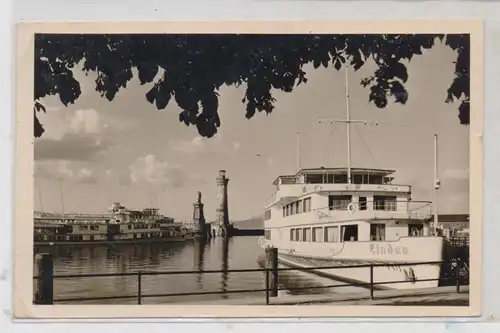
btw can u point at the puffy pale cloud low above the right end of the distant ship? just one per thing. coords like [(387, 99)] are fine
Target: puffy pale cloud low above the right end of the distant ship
[(151, 170)]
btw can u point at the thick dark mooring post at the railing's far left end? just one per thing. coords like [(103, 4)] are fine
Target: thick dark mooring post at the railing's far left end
[(44, 292)]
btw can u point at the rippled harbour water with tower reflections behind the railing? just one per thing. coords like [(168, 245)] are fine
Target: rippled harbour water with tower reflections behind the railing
[(213, 254)]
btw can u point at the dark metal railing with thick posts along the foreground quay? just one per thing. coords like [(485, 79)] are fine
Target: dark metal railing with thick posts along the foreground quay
[(455, 275)]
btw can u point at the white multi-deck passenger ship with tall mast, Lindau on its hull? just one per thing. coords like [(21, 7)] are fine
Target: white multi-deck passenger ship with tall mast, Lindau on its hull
[(324, 217)]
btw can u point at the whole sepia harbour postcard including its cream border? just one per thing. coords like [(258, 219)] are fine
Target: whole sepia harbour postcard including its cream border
[(253, 168)]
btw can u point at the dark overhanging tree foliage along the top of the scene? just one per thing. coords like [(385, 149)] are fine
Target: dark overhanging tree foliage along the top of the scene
[(194, 67)]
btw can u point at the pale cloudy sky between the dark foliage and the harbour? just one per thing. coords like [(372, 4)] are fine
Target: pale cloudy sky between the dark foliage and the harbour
[(96, 152)]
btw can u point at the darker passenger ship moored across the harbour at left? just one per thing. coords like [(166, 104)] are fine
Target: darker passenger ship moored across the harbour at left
[(119, 226)]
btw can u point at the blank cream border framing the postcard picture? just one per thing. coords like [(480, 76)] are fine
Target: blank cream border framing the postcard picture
[(24, 163)]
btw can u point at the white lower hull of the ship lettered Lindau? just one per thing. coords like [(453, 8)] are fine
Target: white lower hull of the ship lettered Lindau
[(409, 250)]
